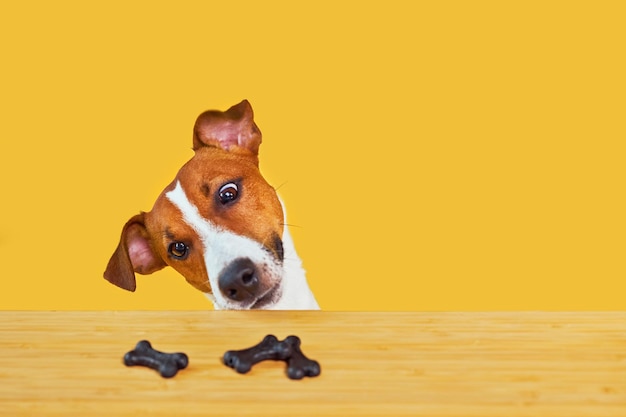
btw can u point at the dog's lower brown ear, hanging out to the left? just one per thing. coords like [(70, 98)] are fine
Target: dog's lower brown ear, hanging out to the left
[(133, 254)]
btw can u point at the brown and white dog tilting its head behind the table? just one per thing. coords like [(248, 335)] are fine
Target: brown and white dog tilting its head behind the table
[(219, 224)]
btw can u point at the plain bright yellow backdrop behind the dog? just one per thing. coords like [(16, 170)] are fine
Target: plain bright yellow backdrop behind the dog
[(458, 155)]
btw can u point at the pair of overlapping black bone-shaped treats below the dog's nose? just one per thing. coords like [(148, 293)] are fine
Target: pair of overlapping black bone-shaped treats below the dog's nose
[(298, 365)]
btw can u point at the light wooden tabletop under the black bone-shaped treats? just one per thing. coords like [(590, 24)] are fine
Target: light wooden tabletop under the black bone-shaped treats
[(373, 364)]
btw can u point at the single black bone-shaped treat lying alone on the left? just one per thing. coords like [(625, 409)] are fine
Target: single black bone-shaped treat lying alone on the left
[(167, 364)]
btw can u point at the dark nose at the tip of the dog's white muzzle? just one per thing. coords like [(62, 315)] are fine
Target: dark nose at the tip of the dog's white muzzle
[(239, 281)]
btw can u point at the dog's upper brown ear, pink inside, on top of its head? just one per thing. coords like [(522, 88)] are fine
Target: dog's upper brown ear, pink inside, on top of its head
[(233, 128)]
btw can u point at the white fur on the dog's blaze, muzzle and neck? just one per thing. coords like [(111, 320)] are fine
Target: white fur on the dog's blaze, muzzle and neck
[(223, 246)]
